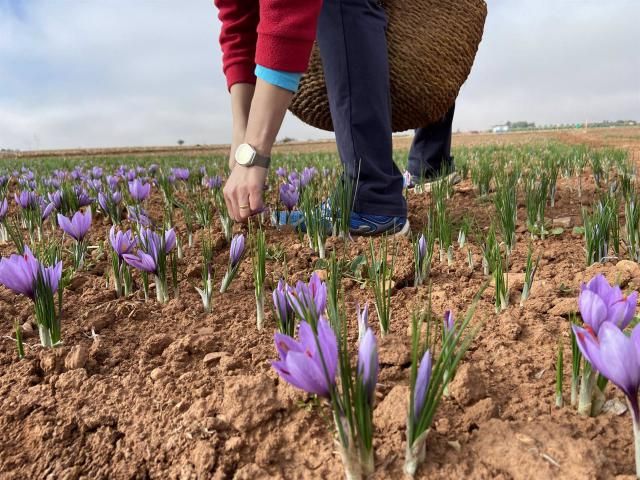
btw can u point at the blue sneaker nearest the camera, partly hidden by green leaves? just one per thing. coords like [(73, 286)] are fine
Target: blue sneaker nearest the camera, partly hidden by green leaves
[(360, 224)]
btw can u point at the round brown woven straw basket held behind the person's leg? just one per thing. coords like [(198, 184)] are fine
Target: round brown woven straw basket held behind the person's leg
[(432, 45)]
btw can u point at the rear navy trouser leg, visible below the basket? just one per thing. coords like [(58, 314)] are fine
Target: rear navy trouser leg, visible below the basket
[(430, 152)]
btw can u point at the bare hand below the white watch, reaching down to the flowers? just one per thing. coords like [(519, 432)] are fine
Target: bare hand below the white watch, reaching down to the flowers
[(243, 191)]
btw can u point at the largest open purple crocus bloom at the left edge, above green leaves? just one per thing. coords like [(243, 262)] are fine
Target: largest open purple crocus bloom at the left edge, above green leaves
[(20, 273)]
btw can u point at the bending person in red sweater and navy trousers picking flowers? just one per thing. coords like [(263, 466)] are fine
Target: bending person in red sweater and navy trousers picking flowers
[(266, 47)]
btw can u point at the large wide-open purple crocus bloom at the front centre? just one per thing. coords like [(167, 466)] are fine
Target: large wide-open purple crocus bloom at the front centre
[(300, 362)]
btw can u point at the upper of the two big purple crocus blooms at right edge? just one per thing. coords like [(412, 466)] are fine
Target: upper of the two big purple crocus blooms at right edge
[(600, 302)]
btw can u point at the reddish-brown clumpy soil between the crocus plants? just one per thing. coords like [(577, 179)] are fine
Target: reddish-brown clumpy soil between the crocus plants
[(171, 392)]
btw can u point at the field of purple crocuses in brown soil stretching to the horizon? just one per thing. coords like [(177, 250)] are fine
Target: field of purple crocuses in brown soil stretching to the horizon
[(144, 383)]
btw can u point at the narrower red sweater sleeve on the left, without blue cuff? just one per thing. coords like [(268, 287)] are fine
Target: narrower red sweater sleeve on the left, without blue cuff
[(238, 39)]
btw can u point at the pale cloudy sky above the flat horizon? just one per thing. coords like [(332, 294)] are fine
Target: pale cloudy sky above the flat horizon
[(96, 73)]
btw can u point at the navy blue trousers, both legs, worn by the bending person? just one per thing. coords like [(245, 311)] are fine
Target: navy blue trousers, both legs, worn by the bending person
[(353, 47)]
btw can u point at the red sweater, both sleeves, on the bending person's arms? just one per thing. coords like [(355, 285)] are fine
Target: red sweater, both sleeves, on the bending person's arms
[(276, 34)]
